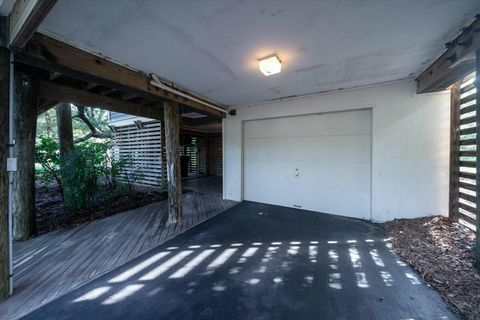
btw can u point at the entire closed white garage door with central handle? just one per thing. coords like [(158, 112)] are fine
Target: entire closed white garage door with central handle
[(318, 162)]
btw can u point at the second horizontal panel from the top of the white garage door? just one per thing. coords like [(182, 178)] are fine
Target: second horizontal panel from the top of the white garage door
[(320, 148)]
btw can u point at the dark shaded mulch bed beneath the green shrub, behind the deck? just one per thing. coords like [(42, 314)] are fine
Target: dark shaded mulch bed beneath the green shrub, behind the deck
[(51, 215)]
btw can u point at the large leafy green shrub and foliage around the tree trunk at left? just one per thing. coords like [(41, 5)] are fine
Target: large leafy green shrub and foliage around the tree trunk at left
[(90, 167)]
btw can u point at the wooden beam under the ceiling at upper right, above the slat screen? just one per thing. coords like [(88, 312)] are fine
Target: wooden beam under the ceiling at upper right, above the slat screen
[(454, 64)]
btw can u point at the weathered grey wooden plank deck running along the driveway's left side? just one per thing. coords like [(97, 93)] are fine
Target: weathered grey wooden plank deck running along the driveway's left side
[(53, 264)]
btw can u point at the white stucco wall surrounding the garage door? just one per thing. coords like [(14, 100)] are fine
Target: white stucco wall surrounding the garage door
[(410, 144)]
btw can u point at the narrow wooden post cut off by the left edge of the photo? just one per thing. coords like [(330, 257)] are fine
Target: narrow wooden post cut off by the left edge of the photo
[(4, 98)]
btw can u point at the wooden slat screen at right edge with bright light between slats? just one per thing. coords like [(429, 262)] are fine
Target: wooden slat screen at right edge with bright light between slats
[(463, 186)]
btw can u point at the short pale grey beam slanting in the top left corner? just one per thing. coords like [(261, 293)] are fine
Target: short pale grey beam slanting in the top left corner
[(24, 19)]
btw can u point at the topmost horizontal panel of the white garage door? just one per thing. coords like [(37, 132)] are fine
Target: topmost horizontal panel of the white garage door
[(339, 123)]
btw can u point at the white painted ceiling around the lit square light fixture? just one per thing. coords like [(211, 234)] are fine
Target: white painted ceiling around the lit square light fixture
[(212, 47)]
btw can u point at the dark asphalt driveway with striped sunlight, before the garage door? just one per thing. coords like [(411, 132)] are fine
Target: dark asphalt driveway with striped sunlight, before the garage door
[(258, 261)]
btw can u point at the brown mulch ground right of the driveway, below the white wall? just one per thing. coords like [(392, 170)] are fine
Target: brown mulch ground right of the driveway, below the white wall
[(441, 251)]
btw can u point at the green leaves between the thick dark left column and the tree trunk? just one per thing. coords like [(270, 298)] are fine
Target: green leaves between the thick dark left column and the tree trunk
[(47, 154)]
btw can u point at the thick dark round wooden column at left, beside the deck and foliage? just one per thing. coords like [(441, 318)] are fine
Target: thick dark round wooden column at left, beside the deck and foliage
[(25, 125)]
